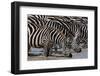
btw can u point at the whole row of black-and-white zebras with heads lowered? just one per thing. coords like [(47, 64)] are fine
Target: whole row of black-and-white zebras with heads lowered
[(48, 31)]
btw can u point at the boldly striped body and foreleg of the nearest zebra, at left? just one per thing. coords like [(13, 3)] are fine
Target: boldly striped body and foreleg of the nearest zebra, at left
[(45, 36)]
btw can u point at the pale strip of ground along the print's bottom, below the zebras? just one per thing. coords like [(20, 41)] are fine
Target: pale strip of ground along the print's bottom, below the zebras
[(81, 55)]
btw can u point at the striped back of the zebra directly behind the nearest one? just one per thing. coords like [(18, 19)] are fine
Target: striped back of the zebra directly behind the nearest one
[(43, 20)]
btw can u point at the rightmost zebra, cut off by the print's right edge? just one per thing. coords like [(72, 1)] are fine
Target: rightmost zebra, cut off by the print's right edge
[(83, 37)]
